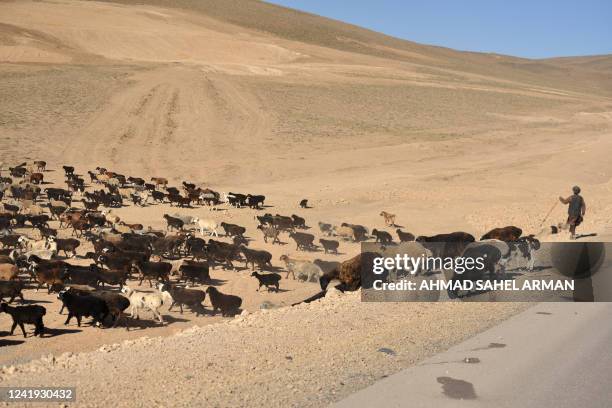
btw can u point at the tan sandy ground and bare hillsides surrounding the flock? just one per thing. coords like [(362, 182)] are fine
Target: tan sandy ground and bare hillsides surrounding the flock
[(245, 96)]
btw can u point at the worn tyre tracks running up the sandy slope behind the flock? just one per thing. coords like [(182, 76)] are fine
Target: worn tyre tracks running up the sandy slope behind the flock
[(170, 118)]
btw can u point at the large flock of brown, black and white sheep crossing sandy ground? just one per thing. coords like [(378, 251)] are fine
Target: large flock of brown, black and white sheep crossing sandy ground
[(173, 258)]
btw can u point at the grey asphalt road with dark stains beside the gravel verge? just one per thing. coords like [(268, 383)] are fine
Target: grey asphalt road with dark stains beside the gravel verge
[(553, 355)]
